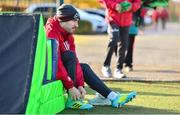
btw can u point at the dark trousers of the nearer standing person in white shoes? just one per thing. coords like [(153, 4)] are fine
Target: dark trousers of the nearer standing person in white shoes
[(118, 39)]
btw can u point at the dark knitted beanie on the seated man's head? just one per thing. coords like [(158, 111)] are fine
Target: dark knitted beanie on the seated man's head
[(67, 12)]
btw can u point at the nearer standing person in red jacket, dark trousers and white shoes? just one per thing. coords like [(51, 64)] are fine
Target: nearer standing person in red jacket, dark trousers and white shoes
[(119, 18)]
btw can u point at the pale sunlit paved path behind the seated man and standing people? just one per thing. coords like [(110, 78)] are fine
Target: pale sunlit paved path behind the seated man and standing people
[(156, 54)]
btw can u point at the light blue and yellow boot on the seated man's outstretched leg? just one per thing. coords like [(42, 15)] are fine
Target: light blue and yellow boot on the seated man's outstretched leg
[(122, 99)]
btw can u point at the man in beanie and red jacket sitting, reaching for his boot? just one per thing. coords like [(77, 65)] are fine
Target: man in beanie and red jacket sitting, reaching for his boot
[(69, 70)]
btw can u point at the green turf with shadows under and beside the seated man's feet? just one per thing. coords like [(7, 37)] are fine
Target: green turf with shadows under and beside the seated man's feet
[(152, 98)]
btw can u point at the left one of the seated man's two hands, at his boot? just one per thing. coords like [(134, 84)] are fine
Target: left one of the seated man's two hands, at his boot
[(74, 93)]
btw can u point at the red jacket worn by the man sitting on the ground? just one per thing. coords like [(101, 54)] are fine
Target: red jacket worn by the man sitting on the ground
[(66, 42)]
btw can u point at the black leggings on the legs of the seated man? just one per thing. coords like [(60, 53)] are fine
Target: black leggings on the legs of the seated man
[(69, 61)]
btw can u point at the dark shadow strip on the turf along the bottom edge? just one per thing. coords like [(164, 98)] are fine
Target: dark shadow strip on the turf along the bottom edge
[(128, 109)]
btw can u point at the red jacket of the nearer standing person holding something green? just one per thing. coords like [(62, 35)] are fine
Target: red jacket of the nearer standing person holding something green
[(121, 19)]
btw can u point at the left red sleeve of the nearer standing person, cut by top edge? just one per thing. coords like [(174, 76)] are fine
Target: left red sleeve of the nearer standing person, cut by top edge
[(108, 4)]
